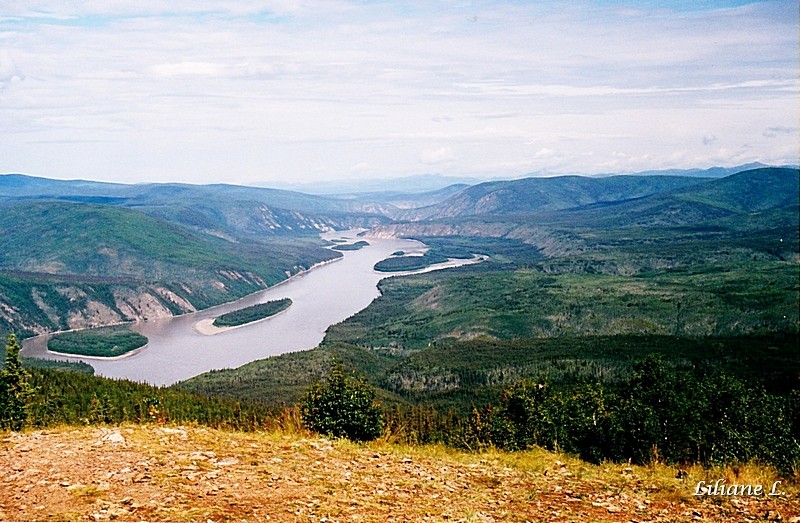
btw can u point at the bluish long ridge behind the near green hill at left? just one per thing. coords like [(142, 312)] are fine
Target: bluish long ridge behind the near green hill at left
[(223, 210)]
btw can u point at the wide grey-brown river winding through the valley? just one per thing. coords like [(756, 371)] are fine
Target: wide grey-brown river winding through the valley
[(322, 296)]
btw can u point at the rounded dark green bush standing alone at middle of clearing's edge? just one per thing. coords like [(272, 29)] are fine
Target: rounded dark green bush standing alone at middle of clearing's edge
[(342, 407)]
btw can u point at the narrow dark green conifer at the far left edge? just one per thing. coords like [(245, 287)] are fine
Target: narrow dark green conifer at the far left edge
[(15, 388)]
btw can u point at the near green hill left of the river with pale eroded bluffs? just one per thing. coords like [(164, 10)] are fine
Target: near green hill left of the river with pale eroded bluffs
[(72, 265)]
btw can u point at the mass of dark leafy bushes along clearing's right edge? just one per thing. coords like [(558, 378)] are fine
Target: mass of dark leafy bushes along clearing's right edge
[(661, 413)]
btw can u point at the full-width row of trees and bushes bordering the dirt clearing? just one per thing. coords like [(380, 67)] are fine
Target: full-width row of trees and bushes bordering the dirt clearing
[(660, 413)]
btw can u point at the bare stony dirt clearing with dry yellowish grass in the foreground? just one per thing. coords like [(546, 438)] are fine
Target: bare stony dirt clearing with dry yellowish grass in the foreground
[(157, 473)]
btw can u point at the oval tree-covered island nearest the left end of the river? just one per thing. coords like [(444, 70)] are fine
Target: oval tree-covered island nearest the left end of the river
[(107, 342)]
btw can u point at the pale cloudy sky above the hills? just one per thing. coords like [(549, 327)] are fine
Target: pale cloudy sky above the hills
[(305, 90)]
